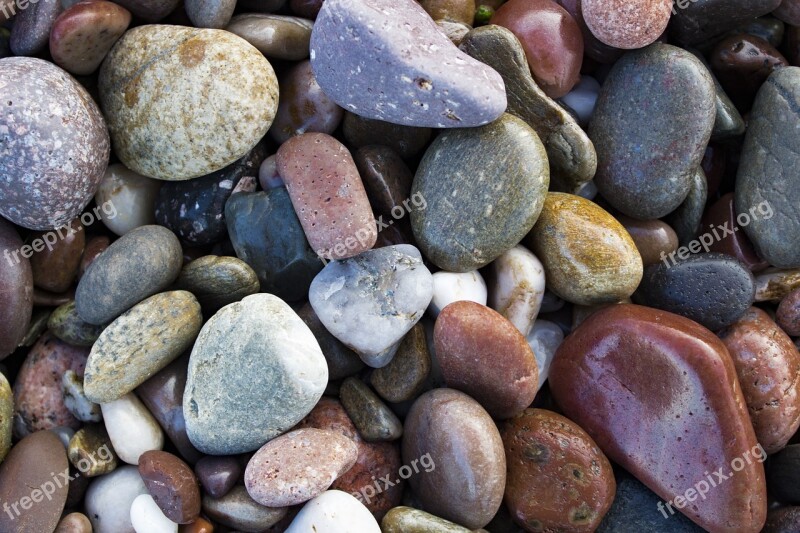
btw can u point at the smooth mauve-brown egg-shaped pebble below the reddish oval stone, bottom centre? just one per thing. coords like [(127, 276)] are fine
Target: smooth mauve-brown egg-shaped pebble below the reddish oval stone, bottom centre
[(461, 440)]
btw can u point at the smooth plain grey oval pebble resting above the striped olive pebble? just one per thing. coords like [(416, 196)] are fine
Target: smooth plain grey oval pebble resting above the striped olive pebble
[(140, 264)]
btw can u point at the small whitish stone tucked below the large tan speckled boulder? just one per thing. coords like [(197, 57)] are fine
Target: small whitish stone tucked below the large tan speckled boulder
[(132, 196)]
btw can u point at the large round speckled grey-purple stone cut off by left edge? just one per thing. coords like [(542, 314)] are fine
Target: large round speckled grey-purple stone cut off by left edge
[(59, 143)]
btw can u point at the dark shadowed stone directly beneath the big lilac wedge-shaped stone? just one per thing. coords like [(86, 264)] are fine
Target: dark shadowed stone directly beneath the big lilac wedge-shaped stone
[(408, 141)]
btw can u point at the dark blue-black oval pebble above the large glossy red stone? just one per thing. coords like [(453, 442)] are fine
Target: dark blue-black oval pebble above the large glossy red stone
[(712, 289)]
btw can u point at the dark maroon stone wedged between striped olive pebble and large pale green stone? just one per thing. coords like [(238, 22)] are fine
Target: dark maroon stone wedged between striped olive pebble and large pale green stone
[(163, 396)]
